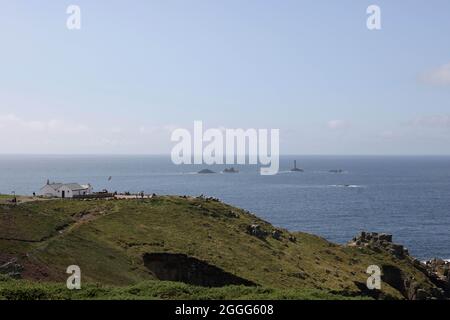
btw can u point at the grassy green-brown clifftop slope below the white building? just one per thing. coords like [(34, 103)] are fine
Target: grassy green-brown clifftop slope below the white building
[(126, 243)]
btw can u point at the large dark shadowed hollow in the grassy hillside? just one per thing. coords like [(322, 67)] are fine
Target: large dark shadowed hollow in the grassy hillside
[(180, 267)]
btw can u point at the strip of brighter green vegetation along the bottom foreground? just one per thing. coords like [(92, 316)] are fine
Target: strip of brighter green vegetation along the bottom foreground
[(155, 290)]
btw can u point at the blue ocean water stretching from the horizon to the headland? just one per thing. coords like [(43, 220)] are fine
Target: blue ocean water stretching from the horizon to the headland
[(406, 196)]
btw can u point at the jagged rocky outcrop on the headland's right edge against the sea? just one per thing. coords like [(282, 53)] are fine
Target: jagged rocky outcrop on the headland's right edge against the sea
[(379, 241)]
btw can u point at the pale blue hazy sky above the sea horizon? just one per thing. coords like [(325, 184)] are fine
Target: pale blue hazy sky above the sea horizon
[(138, 69)]
